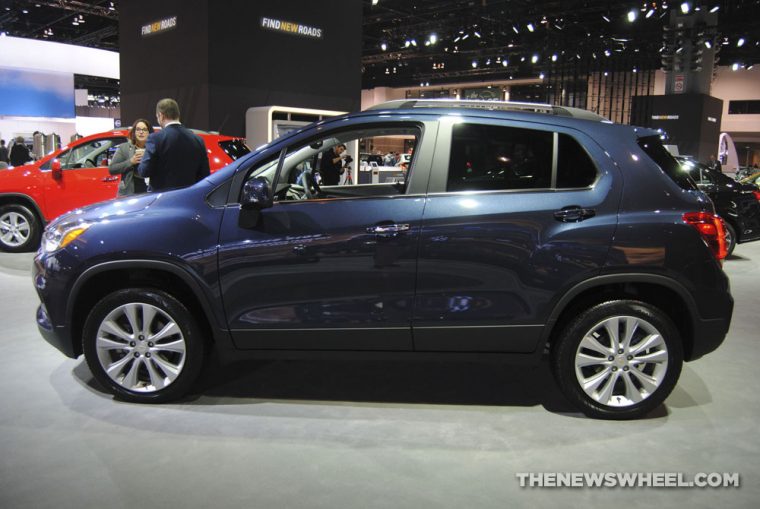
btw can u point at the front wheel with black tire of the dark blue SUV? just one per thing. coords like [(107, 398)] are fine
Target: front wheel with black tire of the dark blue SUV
[(130, 351)]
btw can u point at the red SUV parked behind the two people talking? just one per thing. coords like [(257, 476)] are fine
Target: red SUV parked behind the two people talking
[(33, 194)]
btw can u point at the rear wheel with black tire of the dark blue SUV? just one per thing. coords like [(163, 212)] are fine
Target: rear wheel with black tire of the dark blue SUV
[(621, 392)]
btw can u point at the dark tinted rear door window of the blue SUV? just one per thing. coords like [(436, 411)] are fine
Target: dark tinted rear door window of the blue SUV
[(485, 157)]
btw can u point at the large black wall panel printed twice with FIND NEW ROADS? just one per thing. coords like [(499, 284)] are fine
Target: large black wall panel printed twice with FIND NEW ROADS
[(218, 60)]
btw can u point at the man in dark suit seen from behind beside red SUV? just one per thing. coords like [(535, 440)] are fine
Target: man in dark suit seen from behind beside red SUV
[(174, 157)]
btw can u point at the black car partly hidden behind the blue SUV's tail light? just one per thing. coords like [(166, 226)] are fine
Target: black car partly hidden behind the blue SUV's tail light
[(736, 202)]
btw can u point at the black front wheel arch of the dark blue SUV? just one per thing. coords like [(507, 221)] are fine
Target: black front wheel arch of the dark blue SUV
[(103, 279)]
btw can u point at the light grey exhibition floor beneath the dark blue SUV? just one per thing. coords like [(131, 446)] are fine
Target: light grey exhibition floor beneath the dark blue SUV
[(339, 434)]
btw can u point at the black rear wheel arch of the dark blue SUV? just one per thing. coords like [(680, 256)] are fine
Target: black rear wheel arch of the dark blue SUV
[(663, 292)]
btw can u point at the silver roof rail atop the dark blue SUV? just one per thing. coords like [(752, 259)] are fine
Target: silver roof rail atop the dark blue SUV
[(549, 109)]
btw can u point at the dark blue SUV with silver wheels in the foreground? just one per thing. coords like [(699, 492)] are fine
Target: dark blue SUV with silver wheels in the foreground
[(515, 230)]
